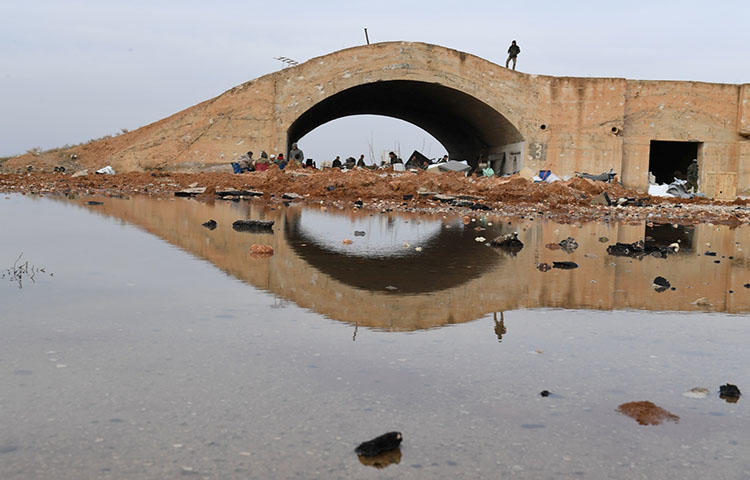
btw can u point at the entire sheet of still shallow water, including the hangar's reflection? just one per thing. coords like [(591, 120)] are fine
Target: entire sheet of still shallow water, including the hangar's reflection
[(160, 348)]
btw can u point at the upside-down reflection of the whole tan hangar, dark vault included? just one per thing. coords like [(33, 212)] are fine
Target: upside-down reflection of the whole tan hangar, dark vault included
[(453, 279)]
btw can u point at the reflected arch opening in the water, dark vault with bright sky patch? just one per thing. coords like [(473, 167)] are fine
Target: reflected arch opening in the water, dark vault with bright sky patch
[(381, 258)]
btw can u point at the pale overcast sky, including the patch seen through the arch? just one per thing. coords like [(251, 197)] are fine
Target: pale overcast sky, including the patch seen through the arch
[(75, 70)]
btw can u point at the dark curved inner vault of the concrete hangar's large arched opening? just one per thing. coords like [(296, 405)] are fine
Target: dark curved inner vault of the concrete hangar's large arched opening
[(469, 128)]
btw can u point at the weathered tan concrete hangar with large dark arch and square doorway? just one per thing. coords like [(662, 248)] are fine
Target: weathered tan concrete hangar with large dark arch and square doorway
[(474, 108)]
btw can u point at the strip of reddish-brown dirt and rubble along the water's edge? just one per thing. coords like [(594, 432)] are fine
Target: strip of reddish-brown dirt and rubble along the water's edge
[(569, 201)]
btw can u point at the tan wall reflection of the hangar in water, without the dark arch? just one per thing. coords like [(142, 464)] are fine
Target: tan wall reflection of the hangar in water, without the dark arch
[(601, 282)]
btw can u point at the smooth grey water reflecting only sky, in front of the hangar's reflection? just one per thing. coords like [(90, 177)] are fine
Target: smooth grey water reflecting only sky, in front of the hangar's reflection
[(139, 359)]
